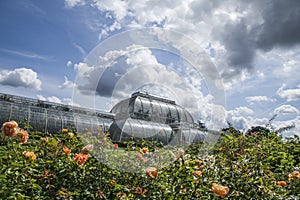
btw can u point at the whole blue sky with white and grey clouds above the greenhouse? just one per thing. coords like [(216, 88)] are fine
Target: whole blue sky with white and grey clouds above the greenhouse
[(224, 61)]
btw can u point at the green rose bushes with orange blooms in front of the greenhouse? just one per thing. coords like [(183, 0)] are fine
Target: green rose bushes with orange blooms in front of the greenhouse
[(256, 165)]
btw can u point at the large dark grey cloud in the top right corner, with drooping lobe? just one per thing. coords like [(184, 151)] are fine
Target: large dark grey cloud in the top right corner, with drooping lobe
[(277, 25)]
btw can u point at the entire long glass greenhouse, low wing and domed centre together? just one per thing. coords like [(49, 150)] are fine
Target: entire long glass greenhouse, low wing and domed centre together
[(142, 116)]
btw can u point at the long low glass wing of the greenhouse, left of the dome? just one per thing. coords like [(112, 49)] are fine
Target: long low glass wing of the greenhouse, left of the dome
[(51, 117)]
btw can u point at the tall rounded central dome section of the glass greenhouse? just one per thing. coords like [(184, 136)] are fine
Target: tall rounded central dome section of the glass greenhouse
[(153, 118)]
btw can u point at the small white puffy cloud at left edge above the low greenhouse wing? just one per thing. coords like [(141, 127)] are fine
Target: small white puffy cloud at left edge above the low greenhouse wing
[(20, 77)]
